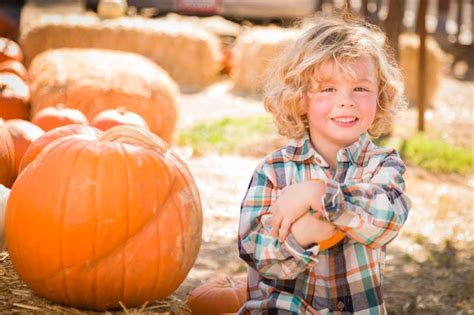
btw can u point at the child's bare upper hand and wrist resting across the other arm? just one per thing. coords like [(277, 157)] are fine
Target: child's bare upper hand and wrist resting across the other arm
[(294, 201)]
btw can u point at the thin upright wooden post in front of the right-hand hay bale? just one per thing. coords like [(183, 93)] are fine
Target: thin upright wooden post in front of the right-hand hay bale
[(422, 65)]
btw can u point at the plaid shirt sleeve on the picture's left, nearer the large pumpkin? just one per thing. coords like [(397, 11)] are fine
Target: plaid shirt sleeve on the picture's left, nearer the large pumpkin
[(257, 247)]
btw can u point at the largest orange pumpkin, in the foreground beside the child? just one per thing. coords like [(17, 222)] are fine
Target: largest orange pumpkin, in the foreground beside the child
[(91, 223)]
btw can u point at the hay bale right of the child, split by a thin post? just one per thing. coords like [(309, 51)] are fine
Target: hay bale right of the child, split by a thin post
[(409, 48)]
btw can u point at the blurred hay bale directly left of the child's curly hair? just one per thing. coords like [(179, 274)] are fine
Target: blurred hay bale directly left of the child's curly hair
[(252, 53)]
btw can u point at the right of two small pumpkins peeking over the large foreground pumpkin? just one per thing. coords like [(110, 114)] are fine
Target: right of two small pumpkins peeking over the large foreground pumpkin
[(116, 117)]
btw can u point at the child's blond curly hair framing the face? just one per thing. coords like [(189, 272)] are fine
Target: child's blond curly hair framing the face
[(338, 40)]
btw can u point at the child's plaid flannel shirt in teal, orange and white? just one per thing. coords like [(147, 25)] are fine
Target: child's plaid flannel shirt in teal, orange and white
[(365, 199)]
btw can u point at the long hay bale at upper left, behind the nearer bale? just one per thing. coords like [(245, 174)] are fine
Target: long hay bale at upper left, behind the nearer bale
[(188, 52)]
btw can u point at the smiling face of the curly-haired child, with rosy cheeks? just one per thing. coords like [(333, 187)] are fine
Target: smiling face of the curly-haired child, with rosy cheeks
[(342, 107)]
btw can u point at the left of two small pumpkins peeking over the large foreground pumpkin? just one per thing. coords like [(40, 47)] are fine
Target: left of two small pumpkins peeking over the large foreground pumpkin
[(56, 116)]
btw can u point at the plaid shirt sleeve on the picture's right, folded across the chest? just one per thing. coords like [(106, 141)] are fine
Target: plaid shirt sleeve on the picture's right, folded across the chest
[(373, 211)]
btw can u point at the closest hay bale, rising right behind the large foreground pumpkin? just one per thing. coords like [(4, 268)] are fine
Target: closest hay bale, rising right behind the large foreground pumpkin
[(93, 80)]
